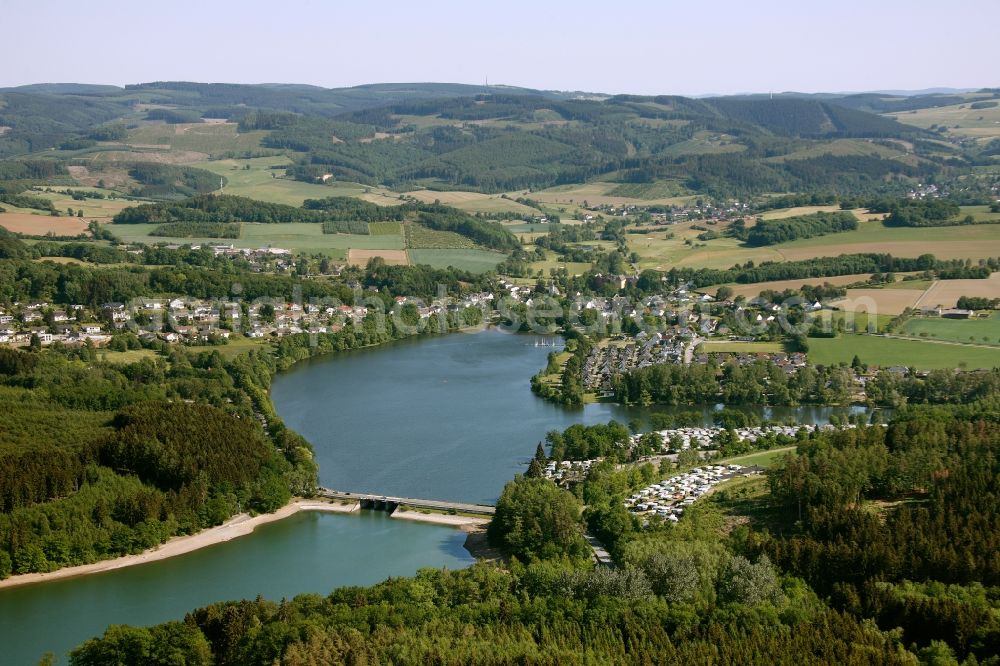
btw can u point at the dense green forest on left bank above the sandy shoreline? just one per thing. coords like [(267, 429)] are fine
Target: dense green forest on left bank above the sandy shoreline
[(99, 460)]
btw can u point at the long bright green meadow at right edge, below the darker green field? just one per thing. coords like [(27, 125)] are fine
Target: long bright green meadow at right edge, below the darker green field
[(923, 355)]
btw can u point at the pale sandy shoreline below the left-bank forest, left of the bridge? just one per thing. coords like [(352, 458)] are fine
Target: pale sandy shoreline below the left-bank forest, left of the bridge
[(233, 528)]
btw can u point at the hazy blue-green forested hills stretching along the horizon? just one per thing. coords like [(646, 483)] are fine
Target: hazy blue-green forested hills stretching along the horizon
[(470, 137)]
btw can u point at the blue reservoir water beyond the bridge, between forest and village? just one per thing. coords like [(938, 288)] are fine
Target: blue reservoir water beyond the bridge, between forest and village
[(449, 417)]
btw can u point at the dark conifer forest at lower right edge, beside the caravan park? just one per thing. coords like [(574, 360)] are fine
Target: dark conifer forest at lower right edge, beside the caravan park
[(921, 497)]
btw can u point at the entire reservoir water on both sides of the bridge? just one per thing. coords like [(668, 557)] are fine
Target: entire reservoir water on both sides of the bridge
[(437, 418)]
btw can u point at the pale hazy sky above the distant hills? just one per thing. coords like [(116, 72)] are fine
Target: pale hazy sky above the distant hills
[(617, 46)]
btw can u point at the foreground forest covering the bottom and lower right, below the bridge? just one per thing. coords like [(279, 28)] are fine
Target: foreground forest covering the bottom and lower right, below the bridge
[(853, 575)]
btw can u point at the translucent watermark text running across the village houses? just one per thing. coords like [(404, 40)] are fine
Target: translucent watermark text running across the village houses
[(537, 313)]
